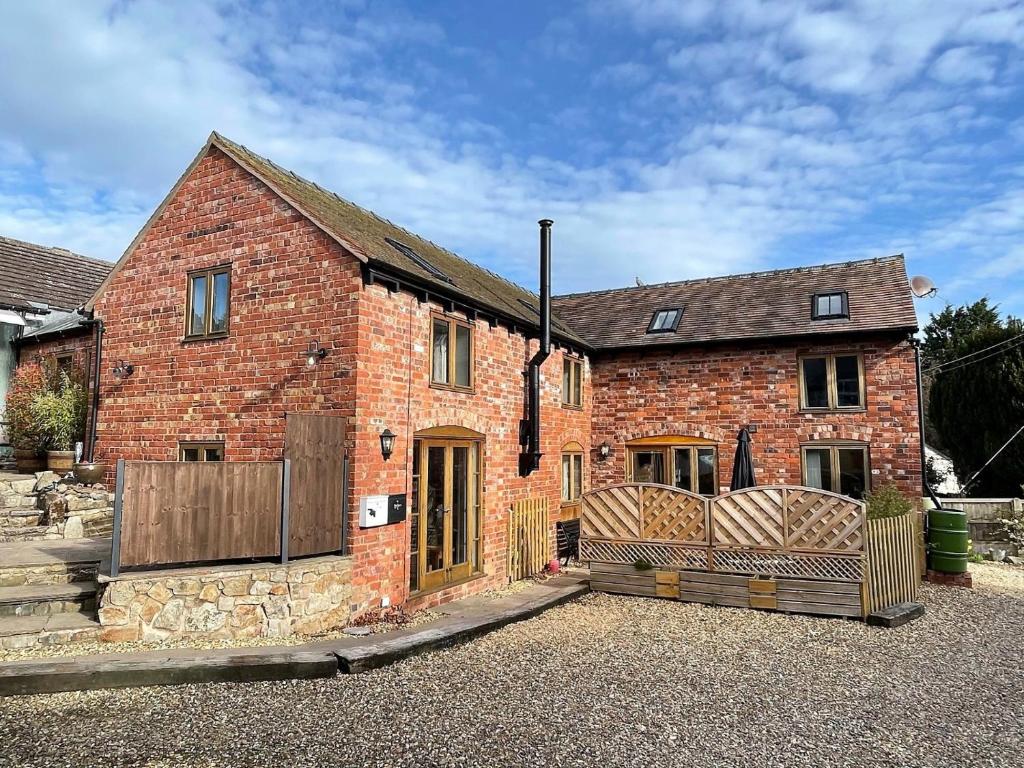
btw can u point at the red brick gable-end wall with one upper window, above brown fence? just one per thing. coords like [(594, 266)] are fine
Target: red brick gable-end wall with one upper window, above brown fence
[(290, 284)]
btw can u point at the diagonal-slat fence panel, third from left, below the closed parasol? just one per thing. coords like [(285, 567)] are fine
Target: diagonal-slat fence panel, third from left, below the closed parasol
[(749, 519)]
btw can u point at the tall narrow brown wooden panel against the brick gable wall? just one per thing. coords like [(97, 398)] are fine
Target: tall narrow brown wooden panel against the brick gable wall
[(316, 446)]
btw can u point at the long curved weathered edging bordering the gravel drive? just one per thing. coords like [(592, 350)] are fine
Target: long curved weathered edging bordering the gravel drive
[(466, 619)]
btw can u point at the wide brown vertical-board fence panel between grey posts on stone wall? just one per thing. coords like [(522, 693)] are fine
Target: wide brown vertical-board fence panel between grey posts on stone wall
[(178, 513)]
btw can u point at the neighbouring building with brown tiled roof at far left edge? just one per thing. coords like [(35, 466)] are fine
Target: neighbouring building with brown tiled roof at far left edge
[(40, 290)]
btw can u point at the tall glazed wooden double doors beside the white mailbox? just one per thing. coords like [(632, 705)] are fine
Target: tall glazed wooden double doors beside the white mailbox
[(447, 507)]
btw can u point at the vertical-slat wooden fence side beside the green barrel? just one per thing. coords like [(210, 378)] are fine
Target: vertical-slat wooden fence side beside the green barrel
[(892, 573)]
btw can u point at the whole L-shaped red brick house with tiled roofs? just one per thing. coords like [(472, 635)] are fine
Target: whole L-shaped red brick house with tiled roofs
[(252, 293)]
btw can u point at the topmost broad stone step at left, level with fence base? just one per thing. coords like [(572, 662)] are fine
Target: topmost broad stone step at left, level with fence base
[(59, 562)]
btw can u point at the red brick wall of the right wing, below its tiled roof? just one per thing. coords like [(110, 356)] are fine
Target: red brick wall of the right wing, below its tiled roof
[(711, 393)]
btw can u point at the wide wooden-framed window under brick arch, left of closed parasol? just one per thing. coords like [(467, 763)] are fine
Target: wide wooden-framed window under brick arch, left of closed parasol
[(689, 465)]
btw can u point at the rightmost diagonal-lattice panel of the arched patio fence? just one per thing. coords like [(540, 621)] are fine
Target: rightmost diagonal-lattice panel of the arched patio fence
[(824, 522)]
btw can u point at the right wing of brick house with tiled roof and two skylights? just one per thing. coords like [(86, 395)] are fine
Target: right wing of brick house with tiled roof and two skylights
[(819, 361)]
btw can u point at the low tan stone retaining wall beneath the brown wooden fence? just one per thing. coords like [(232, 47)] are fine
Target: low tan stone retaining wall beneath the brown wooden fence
[(306, 598)]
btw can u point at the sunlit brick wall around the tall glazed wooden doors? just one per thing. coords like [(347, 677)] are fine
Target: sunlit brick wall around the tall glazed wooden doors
[(395, 392)]
